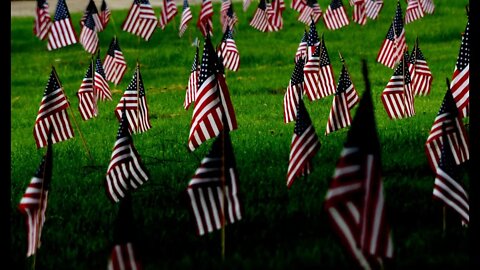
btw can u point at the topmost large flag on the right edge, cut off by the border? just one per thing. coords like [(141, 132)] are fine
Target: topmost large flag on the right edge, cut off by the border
[(460, 86)]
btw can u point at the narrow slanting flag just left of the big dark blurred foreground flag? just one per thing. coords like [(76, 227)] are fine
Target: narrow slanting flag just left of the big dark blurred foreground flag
[(305, 144)]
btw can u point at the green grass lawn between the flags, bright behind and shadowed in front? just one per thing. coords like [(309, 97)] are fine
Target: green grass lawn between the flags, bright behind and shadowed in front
[(280, 229)]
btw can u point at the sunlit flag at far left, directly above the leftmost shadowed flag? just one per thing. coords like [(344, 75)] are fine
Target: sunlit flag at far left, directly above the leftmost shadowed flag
[(52, 115)]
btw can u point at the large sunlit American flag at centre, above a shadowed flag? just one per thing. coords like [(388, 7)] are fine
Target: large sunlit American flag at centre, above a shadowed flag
[(213, 110)]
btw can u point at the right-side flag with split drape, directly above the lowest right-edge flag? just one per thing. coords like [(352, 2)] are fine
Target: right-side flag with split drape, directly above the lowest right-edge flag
[(456, 133)]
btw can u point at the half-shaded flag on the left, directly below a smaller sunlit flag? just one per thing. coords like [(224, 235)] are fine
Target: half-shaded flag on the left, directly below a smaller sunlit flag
[(126, 170)]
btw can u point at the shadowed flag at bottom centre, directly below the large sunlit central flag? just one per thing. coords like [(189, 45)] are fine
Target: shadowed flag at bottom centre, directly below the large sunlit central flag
[(209, 191)]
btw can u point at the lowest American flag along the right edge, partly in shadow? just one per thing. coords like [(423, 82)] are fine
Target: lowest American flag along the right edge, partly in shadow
[(448, 187)]
